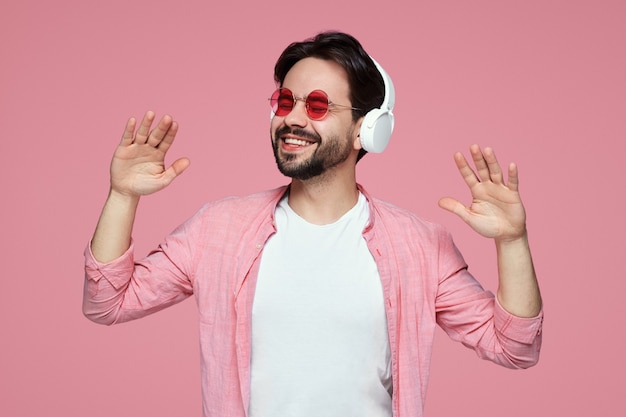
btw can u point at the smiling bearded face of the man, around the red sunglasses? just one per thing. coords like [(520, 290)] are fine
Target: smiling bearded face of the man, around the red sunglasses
[(306, 148)]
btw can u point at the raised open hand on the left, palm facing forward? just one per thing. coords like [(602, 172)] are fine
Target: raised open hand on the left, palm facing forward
[(138, 165)]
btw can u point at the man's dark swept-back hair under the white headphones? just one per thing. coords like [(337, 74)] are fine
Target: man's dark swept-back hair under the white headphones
[(367, 88)]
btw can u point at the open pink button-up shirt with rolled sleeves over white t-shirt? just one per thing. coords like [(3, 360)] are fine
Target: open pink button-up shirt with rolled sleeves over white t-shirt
[(215, 256)]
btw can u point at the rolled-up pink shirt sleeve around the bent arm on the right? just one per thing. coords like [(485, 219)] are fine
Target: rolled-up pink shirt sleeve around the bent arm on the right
[(471, 315)]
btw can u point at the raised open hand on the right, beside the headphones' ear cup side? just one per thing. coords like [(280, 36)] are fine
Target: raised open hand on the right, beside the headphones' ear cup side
[(496, 210)]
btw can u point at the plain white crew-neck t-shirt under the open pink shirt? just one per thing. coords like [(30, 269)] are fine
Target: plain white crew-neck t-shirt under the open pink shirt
[(320, 346)]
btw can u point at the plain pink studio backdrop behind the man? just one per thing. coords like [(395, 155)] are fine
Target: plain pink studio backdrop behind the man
[(543, 82)]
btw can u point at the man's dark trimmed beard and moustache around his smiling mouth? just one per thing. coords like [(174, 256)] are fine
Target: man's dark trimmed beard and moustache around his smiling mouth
[(330, 152)]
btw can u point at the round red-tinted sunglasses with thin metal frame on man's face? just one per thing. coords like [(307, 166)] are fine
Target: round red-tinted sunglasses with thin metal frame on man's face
[(316, 103)]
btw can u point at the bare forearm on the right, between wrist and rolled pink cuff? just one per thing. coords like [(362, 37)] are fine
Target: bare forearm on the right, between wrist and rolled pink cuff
[(518, 290)]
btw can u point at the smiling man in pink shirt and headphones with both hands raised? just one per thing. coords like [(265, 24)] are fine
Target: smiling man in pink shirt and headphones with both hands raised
[(317, 298)]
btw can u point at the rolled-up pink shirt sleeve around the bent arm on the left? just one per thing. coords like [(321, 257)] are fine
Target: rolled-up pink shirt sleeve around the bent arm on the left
[(123, 289)]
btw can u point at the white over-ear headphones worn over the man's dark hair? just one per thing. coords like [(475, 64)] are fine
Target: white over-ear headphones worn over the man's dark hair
[(378, 123)]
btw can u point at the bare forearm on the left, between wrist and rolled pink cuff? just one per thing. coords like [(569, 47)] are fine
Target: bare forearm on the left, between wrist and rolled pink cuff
[(114, 230)]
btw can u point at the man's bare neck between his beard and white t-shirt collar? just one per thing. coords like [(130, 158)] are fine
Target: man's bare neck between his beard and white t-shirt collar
[(323, 200)]
